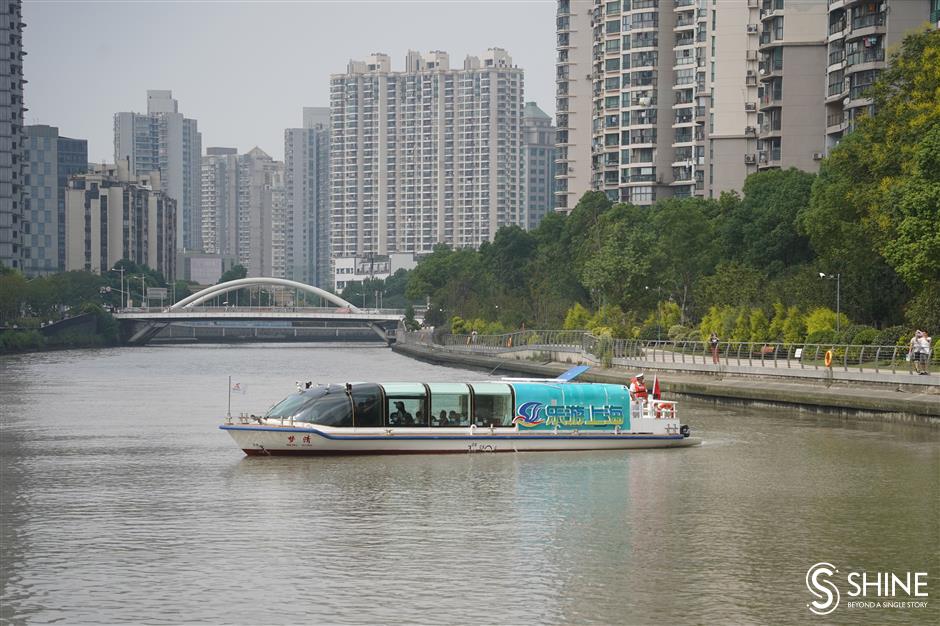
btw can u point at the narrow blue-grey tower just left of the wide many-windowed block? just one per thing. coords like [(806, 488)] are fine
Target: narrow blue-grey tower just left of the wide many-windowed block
[(307, 191)]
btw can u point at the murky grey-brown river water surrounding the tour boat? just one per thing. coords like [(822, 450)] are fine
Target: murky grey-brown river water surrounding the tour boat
[(123, 503)]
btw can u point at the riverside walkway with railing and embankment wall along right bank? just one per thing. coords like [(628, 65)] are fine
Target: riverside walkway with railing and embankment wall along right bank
[(855, 387)]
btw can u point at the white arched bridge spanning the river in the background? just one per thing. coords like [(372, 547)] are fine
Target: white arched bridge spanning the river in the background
[(146, 323)]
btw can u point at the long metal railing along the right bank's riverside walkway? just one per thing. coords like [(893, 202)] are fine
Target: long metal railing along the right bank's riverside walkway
[(783, 358)]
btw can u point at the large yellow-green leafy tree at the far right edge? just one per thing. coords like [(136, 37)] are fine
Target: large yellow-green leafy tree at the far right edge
[(874, 215)]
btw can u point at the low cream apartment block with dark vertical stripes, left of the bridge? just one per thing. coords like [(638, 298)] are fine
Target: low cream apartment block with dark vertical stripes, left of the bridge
[(111, 215)]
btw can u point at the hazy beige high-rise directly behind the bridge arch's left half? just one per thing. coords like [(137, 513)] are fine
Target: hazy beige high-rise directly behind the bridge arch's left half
[(245, 213)]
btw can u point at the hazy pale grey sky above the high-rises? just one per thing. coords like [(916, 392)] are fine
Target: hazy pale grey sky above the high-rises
[(245, 69)]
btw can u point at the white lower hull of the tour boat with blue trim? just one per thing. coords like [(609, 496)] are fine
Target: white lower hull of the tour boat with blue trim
[(322, 440)]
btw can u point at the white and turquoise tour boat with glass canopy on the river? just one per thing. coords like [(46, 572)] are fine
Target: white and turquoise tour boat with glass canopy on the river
[(512, 415)]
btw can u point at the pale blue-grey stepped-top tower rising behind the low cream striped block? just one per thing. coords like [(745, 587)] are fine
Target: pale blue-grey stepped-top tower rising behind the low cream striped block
[(163, 140)]
